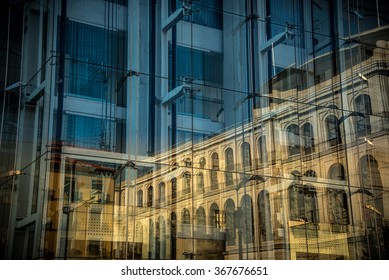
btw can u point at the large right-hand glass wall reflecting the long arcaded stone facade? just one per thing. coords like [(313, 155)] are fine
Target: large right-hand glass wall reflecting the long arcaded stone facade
[(258, 147)]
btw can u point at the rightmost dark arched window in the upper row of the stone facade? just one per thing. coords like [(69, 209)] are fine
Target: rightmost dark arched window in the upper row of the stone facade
[(364, 110)]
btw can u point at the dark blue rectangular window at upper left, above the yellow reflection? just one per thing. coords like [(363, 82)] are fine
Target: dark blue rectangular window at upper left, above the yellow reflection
[(94, 57)]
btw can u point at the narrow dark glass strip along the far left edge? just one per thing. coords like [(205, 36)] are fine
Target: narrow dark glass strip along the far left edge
[(10, 71)]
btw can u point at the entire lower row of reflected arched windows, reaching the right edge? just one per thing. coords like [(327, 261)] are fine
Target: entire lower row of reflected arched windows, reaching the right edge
[(239, 218)]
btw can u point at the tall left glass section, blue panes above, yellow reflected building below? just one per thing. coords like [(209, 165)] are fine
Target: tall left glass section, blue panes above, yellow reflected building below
[(86, 208)]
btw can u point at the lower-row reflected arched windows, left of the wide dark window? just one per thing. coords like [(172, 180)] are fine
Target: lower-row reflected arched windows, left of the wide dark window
[(232, 218)]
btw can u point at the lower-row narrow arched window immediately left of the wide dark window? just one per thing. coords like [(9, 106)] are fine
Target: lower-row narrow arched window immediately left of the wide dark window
[(265, 226)]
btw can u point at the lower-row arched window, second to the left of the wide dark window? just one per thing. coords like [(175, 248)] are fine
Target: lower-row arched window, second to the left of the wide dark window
[(247, 219)]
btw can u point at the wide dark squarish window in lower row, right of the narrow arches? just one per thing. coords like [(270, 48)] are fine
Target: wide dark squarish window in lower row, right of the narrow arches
[(303, 203)]
